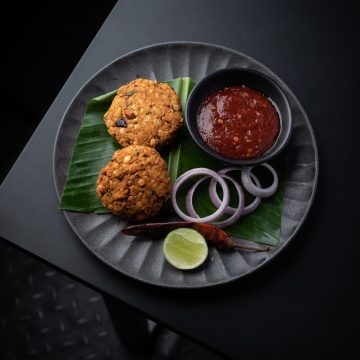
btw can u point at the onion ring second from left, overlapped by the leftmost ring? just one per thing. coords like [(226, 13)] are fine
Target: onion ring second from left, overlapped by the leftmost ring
[(235, 214)]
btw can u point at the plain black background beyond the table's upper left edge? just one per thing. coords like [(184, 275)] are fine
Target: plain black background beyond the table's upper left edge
[(43, 42)]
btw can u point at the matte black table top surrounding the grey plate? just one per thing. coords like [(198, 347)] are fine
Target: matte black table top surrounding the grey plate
[(305, 301)]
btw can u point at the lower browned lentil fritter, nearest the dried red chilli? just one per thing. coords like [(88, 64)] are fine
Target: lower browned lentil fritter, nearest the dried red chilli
[(135, 183)]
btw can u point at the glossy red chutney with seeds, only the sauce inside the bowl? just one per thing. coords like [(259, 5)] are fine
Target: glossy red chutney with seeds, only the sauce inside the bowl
[(238, 122)]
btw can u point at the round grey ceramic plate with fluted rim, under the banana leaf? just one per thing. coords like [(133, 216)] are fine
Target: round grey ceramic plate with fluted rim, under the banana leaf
[(142, 259)]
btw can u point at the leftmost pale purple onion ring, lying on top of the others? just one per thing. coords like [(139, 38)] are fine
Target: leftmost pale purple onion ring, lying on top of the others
[(194, 172)]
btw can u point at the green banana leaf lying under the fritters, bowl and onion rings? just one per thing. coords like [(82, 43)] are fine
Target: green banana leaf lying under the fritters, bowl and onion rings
[(94, 148)]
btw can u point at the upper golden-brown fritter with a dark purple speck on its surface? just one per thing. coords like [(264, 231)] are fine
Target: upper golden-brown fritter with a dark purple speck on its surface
[(144, 112)]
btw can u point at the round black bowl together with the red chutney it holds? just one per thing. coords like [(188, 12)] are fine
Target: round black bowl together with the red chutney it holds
[(239, 116)]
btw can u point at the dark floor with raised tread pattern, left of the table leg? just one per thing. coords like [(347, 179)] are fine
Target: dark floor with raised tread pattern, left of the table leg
[(45, 314)]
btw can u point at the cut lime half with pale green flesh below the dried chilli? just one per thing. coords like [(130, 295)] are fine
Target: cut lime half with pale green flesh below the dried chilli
[(185, 248)]
